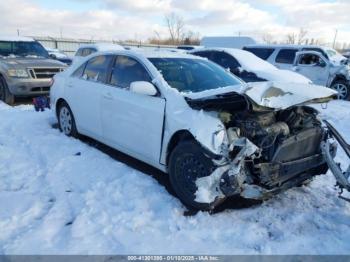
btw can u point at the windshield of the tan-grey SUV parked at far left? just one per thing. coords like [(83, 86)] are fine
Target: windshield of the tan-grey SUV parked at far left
[(24, 49)]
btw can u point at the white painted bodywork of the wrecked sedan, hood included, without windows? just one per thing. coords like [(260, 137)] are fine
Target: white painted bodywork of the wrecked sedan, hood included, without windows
[(142, 126)]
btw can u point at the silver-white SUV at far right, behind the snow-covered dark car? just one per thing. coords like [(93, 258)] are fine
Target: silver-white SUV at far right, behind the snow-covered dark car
[(322, 65)]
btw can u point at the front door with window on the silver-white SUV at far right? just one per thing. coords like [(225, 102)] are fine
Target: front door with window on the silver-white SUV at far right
[(313, 65)]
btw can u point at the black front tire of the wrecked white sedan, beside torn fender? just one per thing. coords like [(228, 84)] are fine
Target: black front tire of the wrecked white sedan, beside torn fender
[(187, 162)]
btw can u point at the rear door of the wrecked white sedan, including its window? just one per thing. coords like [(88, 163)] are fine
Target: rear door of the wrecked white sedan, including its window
[(84, 89)]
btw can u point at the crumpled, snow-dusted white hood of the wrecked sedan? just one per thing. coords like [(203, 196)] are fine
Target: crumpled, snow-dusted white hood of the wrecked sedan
[(273, 95)]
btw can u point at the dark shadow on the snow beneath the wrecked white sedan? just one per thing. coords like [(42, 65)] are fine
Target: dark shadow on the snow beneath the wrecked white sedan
[(161, 177)]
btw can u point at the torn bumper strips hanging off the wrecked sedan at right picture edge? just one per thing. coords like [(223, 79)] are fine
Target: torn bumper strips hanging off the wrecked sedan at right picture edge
[(341, 176)]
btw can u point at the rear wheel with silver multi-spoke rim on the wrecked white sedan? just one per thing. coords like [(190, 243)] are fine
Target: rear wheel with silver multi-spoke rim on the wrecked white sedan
[(66, 121)]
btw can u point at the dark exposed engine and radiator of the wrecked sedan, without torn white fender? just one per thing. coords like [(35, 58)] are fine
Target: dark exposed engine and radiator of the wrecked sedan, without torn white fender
[(288, 143)]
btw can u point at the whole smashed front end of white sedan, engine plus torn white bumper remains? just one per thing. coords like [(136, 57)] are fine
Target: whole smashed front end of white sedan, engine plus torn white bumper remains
[(268, 151)]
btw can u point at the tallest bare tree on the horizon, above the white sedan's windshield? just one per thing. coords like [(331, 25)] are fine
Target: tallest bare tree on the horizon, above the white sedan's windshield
[(176, 27)]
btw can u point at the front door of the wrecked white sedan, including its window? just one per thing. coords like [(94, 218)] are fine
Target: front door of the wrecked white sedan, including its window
[(132, 122)]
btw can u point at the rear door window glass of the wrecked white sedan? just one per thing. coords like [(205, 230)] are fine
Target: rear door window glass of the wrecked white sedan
[(97, 69)]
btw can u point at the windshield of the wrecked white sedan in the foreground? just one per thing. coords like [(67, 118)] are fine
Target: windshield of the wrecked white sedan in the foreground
[(193, 75)]
